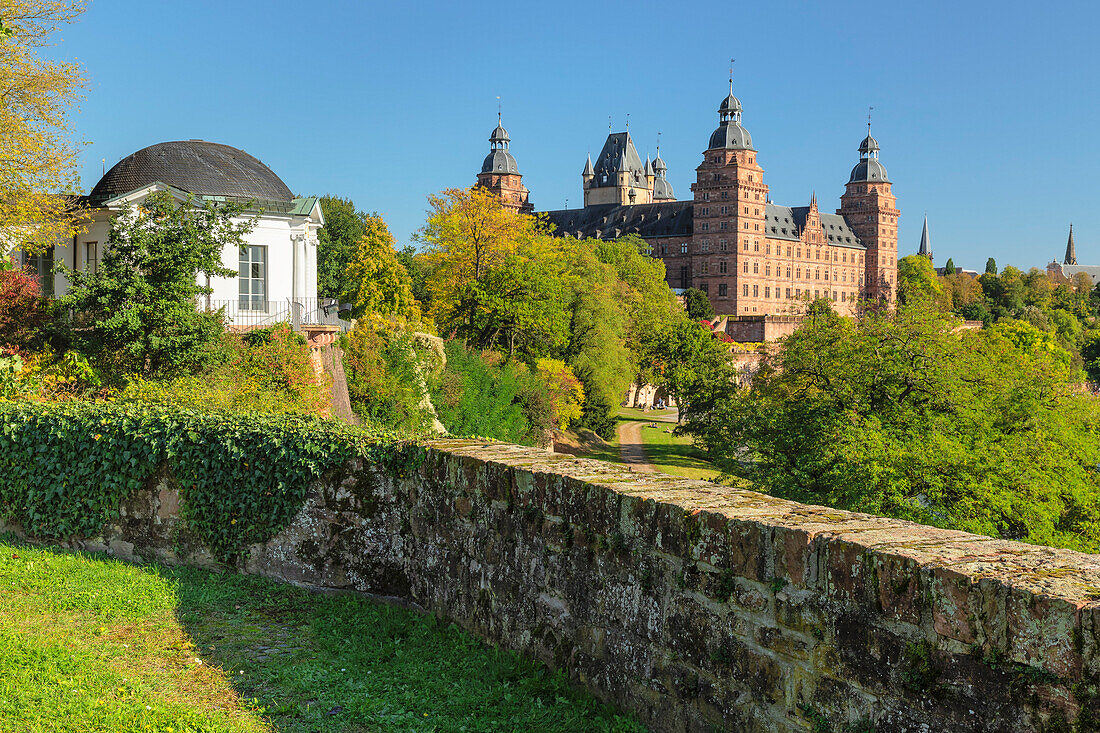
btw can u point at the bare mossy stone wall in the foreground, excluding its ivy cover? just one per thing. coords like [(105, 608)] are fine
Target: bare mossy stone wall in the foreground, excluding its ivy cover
[(697, 607)]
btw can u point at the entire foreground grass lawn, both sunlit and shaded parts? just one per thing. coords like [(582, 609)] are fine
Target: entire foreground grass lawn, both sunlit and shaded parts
[(95, 644)]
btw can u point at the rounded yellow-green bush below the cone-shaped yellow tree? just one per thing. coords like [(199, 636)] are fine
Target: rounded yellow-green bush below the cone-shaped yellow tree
[(384, 377)]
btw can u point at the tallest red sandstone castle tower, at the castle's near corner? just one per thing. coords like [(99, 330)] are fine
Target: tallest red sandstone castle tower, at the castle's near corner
[(730, 233)]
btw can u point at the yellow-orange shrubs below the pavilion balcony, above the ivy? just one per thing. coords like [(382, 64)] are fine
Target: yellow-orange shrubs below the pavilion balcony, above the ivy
[(261, 371)]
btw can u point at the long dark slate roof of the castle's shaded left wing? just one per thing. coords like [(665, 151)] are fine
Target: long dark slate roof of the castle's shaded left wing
[(612, 221)]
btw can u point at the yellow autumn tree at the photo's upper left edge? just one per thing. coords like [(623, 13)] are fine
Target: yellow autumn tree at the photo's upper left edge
[(38, 158)]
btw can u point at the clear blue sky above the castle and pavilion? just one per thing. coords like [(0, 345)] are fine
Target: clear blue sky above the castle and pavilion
[(987, 113)]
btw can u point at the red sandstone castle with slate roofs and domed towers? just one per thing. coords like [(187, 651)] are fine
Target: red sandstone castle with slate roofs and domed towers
[(752, 257)]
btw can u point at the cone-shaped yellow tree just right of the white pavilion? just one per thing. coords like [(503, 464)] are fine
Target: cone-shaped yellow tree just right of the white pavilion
[(377, 283)]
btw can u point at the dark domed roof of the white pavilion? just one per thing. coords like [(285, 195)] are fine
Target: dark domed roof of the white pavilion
[(197, 167)]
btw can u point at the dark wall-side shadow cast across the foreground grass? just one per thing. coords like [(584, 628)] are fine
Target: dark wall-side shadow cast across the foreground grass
[(343, 663)]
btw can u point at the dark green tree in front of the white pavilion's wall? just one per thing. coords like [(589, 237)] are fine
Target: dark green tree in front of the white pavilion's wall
[(137, 314)]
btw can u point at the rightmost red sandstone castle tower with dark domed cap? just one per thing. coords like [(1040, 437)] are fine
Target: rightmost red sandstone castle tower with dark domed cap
[(871, 209)]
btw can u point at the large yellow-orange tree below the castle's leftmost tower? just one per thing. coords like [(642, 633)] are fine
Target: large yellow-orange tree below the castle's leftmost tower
[(496, 275)]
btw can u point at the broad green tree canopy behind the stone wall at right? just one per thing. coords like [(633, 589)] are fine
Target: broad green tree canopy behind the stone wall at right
[(899, 414)]
